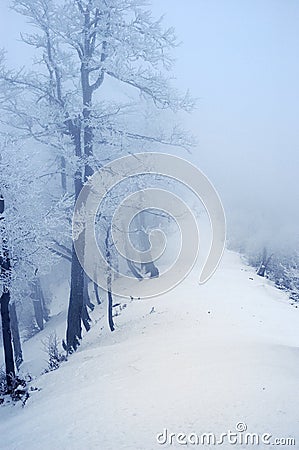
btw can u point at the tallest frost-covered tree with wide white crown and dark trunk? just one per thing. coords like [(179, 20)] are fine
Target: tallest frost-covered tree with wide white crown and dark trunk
[(85, 49)]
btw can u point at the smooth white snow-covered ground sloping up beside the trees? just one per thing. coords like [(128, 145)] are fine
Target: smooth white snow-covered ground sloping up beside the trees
[(197, 359)]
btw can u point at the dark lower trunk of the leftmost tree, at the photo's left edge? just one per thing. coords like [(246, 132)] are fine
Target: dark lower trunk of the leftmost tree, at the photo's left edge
[(7, 341)]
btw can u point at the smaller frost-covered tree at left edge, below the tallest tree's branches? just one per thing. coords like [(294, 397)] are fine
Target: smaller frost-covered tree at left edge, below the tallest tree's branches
[(27, 232)]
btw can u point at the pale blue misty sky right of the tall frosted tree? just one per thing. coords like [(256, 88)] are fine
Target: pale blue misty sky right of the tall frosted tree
[(240, 58)]
